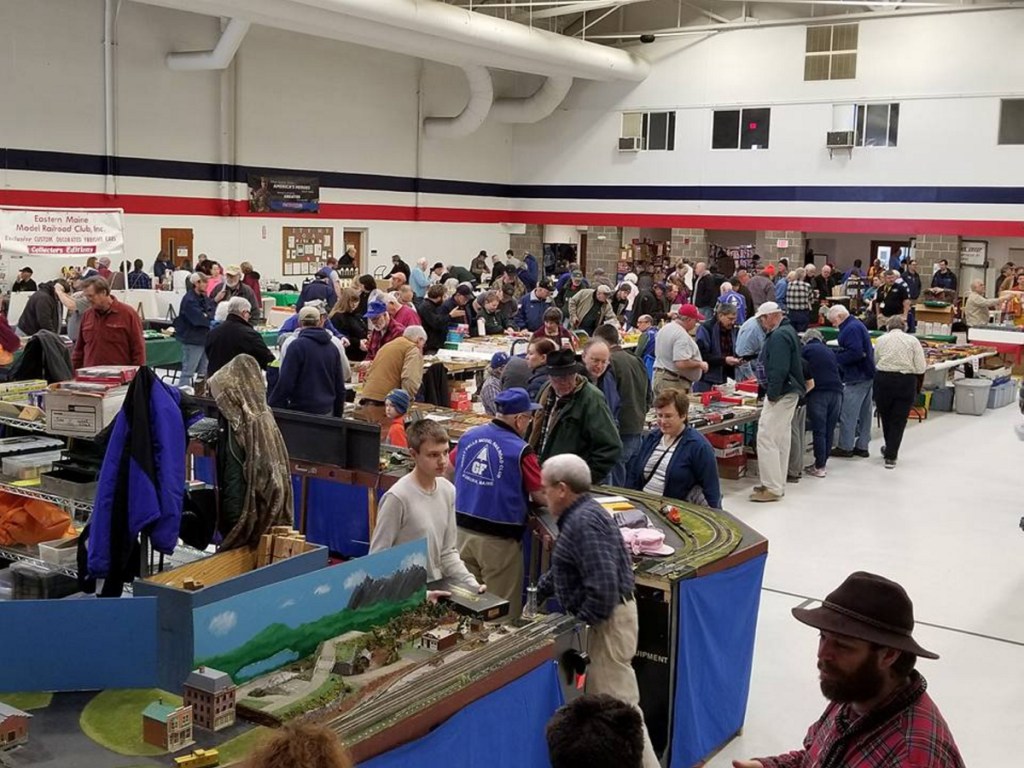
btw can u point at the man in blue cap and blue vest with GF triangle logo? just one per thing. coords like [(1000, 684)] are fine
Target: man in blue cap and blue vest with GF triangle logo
[(496, 476)]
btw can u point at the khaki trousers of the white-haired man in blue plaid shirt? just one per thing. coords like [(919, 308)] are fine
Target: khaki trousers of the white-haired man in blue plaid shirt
[(613, 646)]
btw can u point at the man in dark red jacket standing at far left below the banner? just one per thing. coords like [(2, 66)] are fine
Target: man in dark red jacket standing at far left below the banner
[(111, 333)]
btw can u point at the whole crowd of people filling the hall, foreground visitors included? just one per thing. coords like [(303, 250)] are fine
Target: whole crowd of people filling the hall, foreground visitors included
[(568, 416)]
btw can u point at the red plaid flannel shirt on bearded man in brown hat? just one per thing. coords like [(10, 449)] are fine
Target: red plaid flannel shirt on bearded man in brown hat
[(908, 731)]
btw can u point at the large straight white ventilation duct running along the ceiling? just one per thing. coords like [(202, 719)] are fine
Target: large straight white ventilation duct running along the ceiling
[(433, 31)]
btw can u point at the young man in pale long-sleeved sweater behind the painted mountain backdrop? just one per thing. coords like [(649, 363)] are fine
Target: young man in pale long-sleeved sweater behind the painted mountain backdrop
[(421, 505)]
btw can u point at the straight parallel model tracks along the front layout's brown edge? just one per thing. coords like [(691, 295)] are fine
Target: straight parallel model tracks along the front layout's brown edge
[(392, 705)]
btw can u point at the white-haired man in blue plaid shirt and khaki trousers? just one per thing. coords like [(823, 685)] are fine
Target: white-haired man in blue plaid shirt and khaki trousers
[(592, 577)]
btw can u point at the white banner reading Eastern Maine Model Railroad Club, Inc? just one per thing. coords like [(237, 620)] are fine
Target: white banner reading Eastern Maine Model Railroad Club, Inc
[(69, 234)]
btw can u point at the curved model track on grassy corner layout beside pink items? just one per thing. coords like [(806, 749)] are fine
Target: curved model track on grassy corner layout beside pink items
[(707, 537)]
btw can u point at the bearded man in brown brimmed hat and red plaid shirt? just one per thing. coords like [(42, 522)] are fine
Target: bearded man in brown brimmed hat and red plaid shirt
[(880, 715)]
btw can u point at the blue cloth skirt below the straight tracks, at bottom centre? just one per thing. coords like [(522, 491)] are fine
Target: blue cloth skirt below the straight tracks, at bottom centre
[(505, 730)]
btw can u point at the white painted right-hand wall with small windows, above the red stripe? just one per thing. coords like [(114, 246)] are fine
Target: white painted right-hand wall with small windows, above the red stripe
[(950, 106)]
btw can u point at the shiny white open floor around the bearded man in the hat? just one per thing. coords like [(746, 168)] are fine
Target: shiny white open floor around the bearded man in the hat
[(946, 525)]
